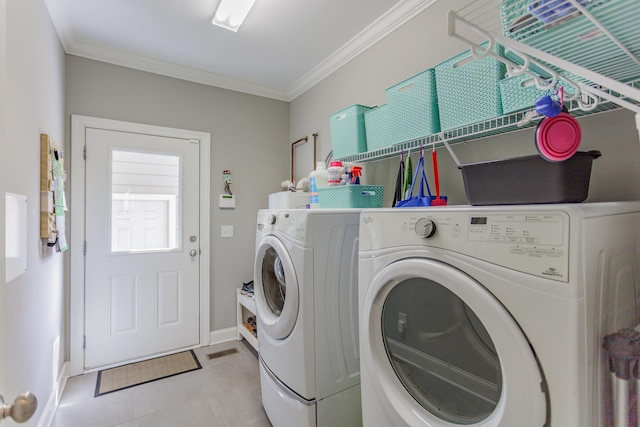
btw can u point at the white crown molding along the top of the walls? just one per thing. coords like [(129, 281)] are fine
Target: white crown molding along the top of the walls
[(394, 18)]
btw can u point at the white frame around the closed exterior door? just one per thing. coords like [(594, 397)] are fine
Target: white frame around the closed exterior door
[(79, 124)]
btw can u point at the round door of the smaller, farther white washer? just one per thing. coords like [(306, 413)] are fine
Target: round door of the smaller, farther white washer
[(276, 288)]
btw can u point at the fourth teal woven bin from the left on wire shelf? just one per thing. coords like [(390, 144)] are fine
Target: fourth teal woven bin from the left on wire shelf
[(468, 90)]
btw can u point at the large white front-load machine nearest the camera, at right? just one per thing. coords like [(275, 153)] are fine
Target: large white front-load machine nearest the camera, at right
[(493, 316)]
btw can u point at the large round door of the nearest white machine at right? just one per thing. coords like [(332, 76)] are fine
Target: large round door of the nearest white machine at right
[(445, 351)]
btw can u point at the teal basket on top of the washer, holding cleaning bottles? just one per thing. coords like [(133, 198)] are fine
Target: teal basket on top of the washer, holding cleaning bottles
[(351, 196)]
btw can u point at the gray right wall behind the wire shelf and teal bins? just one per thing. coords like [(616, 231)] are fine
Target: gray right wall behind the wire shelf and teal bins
[(423, 43)]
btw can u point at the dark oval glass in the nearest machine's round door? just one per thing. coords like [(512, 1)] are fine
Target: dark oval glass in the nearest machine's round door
[(441, 352)]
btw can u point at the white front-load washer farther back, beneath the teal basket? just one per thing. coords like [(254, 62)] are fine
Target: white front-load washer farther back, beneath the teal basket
[(306, 284)]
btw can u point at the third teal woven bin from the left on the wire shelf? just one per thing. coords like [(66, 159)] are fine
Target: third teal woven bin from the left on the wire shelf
[(413, 107)]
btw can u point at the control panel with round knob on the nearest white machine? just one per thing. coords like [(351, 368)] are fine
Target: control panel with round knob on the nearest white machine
[(534, 242)]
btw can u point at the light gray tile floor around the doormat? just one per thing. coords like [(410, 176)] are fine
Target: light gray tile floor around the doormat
[(225, 392)]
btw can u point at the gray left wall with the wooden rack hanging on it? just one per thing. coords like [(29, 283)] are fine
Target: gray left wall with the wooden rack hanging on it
[(31, 306)]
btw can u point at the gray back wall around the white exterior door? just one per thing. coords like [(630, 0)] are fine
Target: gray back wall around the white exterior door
[(249, 136)]
